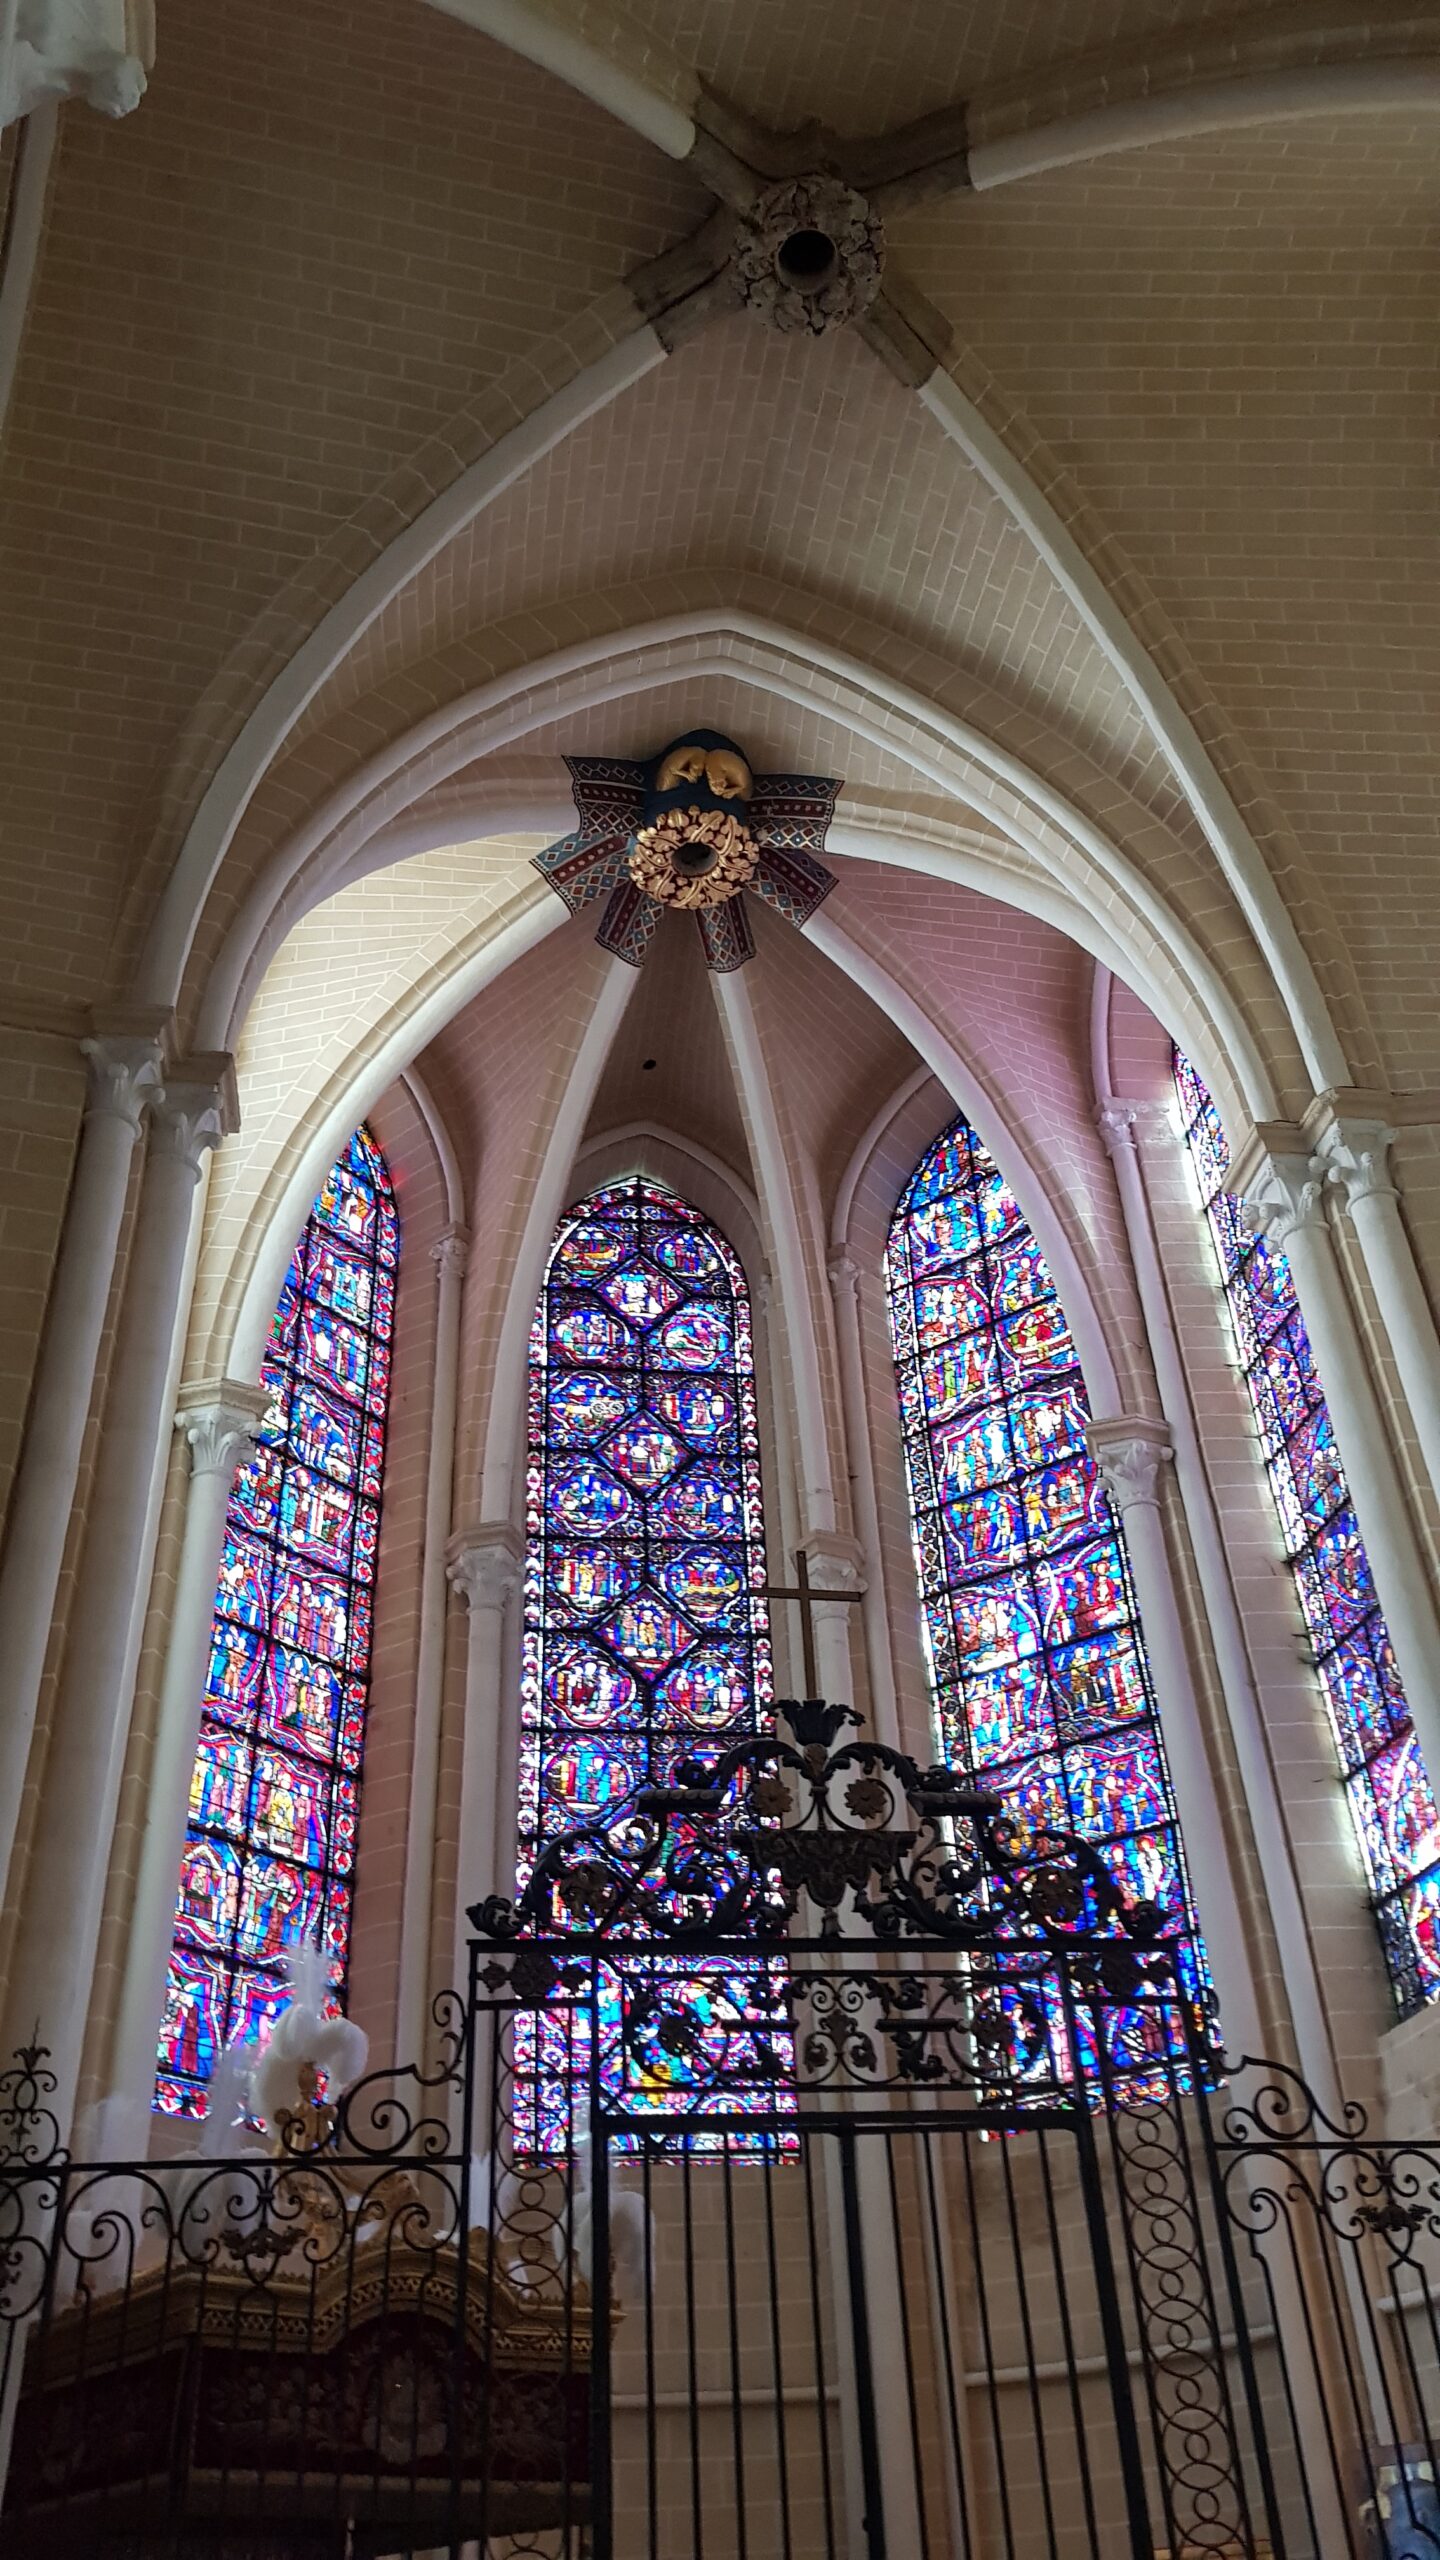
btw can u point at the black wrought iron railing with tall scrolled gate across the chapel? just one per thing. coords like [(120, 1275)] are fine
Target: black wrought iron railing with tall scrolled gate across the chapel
[(816, 2164)]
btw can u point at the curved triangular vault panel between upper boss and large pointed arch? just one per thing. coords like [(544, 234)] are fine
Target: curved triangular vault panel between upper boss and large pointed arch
[(806, 465)]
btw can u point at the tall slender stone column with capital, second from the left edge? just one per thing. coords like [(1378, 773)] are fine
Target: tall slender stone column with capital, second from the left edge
[(65, 1888)]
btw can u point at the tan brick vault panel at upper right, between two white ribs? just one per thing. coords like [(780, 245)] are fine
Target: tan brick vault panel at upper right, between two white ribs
[(1231, 349)]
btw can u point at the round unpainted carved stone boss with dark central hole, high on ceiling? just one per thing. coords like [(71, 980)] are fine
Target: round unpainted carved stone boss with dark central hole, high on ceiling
[(808, 255)]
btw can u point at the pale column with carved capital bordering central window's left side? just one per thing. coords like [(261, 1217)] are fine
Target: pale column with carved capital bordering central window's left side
[(486, 1565)]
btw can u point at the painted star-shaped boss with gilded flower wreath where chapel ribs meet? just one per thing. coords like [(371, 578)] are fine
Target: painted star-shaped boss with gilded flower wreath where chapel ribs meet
[(693, 828)]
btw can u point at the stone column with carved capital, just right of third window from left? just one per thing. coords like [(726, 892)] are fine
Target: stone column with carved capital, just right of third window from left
[(1131, 1458)]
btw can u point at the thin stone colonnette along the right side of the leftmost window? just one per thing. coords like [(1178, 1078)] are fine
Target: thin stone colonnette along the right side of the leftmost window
[(450, 1258)]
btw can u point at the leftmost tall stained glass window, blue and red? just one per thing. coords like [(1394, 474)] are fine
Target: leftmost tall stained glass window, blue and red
[(273, 1804)]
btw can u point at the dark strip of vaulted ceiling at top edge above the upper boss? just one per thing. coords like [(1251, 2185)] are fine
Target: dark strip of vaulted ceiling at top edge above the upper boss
[(878, 63)]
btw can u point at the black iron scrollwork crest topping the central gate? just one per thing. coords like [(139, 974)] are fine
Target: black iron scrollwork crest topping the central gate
[(870, 1837)]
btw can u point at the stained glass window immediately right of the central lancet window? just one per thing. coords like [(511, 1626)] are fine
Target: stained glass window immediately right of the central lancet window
[(1036, 1658)]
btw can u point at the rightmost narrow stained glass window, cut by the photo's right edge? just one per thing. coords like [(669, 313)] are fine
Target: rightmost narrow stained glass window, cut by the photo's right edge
[(1380, 1757)]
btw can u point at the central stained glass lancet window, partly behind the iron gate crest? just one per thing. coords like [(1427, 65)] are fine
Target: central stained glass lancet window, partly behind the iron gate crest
[(647, 1629)]
